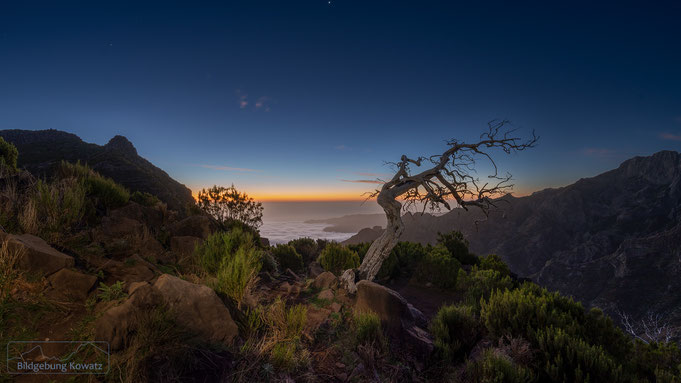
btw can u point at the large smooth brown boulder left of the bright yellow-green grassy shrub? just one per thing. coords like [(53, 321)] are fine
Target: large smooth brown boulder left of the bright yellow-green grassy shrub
[(198, 308)]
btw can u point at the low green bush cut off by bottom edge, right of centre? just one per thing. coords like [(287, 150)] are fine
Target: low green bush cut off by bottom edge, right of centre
[(494, 367)]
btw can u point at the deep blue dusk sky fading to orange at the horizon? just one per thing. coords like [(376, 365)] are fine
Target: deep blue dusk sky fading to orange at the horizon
[(291, 99)]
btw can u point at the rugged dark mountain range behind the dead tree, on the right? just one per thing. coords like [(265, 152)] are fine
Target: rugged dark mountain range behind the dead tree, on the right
[(612, 241)]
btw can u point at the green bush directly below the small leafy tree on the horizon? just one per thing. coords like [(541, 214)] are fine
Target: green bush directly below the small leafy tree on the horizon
[(220, 245)]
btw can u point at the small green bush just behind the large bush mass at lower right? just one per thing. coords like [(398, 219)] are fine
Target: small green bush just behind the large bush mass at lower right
[(479, 284)]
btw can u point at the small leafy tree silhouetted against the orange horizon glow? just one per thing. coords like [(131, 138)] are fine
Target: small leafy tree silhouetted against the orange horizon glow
[(229, 204)]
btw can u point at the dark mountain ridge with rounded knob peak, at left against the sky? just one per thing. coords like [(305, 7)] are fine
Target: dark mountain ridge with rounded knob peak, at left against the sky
[(41, 150)]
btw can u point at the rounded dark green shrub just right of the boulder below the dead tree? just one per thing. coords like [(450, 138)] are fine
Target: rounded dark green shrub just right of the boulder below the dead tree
[(456, 329)]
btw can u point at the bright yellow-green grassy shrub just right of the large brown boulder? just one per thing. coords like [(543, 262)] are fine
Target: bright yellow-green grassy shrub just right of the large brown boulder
[(237, 274)]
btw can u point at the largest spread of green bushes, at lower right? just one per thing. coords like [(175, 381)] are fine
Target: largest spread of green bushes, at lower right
[(573, 344)]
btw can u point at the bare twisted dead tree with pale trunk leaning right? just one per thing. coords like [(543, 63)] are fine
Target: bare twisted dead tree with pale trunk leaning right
[(450, 177)]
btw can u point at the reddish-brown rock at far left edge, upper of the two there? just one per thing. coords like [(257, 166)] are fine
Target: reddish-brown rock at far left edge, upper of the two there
[(37, 256)]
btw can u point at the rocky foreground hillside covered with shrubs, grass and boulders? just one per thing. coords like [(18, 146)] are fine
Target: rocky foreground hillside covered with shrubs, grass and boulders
[(187, 299)]
